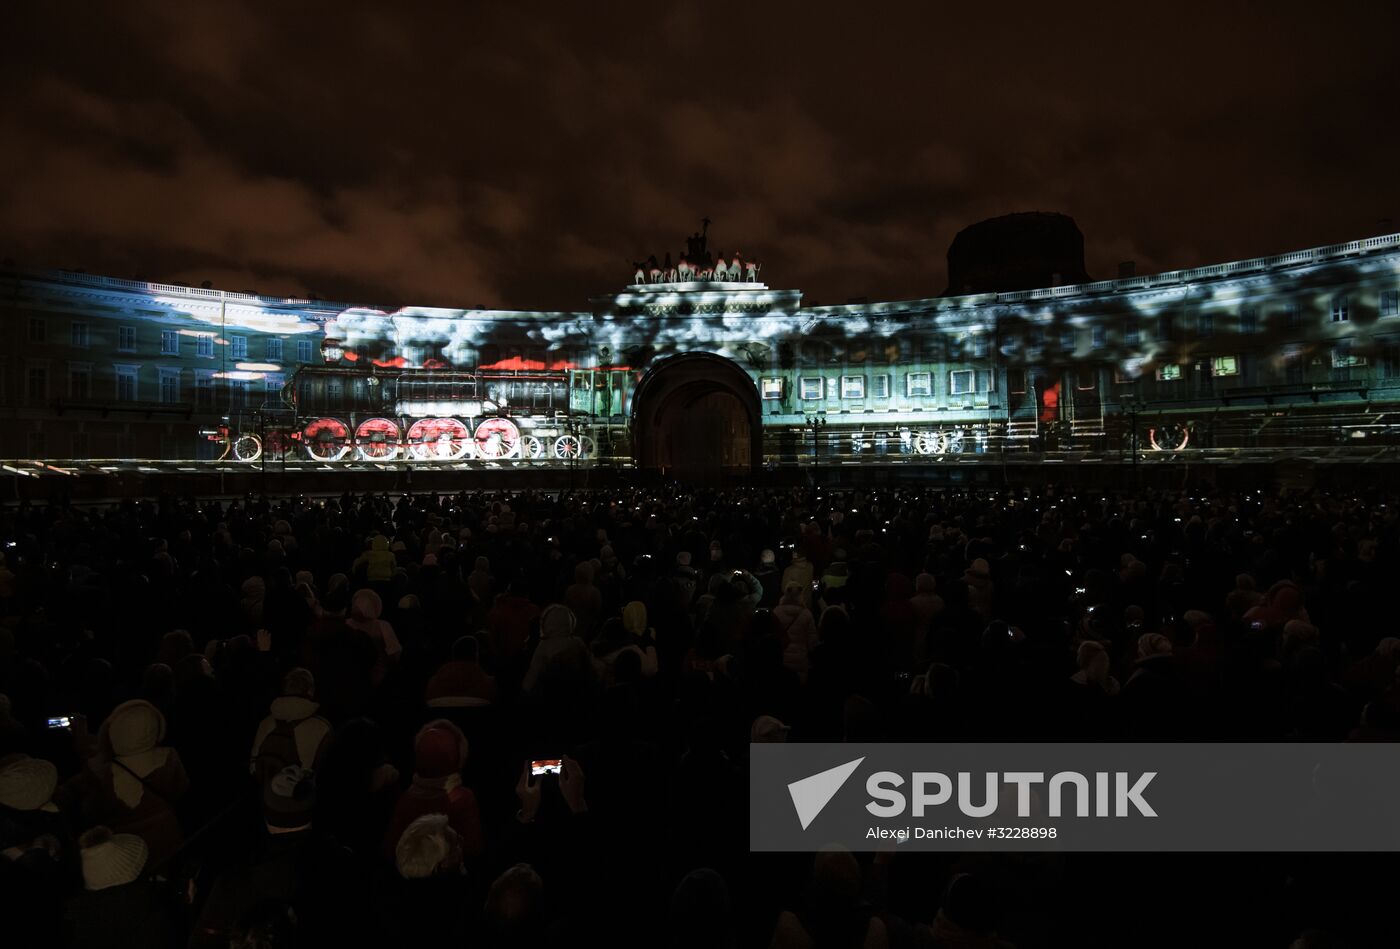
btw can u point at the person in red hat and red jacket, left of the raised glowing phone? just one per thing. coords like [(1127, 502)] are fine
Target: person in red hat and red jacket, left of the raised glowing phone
[(439, 757)]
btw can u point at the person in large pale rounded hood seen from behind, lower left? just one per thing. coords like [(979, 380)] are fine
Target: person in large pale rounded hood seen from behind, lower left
[(134, 783)]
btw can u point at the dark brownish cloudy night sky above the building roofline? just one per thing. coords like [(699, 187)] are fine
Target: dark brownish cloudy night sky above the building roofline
[(524, 155)]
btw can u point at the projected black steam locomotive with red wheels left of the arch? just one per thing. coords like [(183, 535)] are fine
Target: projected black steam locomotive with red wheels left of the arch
[(338, 415)]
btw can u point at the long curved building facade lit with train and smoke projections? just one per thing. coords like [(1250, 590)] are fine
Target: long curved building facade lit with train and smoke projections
[(702, 366)]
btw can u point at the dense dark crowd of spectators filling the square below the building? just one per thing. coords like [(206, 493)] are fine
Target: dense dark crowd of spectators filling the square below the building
[(519, 719)]
